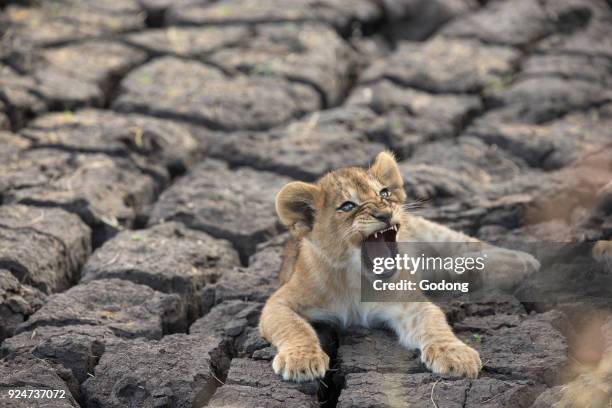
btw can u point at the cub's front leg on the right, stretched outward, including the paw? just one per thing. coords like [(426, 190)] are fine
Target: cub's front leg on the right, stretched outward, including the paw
[(423, 325)]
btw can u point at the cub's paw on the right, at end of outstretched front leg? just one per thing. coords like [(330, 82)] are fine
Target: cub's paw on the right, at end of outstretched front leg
[(452, 358)]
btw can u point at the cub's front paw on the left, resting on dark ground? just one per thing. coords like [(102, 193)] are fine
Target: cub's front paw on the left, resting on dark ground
[(301, 363)]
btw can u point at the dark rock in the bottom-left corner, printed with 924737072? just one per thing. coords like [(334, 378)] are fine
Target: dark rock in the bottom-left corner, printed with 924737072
[(27, 373)]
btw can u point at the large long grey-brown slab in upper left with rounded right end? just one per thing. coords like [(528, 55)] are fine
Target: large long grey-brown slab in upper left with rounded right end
[(190, 91)]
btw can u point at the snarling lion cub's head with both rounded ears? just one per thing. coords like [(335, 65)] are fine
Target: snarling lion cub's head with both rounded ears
[(346, 207)]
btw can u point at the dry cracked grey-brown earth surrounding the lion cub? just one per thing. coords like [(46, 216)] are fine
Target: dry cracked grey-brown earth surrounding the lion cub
[(143, 142)]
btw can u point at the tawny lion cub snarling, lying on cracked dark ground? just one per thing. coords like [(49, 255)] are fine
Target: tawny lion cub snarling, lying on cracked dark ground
[(328, 222)]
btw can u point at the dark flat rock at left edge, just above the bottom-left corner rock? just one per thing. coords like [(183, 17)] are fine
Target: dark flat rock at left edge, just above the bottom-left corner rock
[(77, 348)]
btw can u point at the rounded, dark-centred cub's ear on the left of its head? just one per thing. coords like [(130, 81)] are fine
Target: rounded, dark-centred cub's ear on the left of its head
[(295, 206)]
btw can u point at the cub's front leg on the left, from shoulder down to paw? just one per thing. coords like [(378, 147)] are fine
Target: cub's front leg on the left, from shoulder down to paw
[(300, 356)]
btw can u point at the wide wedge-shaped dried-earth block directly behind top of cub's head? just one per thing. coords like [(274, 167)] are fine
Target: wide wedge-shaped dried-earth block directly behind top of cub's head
[(308, 148)]
